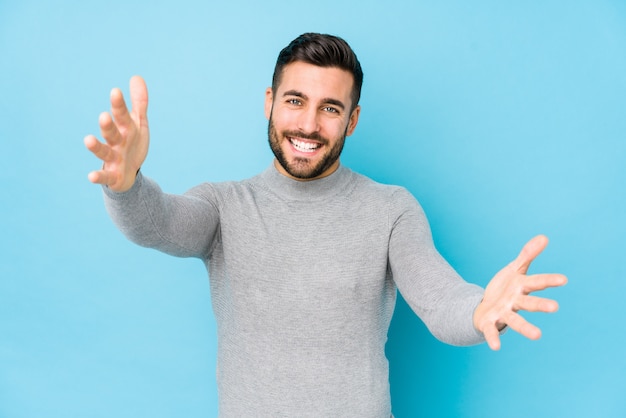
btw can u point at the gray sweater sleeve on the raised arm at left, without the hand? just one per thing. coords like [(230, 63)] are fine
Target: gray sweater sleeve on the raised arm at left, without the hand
[(180, 225)]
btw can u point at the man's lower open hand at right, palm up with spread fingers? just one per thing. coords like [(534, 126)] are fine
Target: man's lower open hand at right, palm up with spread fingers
[(509, 292)]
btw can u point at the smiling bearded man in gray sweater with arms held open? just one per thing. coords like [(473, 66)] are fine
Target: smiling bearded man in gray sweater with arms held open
[(305, 258)]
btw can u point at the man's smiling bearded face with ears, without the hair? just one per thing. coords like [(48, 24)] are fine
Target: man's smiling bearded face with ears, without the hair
[(309, 119)]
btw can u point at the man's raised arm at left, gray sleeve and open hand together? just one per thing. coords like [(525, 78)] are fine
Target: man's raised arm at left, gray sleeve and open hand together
[(181, 225)]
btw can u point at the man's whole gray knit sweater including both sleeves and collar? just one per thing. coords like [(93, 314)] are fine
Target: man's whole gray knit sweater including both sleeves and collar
[(303, 280)]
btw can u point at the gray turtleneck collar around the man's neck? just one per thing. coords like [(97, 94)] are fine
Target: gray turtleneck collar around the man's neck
[(290, 189)]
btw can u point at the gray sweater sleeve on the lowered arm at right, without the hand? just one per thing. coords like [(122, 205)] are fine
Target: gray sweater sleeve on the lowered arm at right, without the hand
[(434, 290)]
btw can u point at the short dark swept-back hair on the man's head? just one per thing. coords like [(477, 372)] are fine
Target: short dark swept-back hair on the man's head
[(324, 51)]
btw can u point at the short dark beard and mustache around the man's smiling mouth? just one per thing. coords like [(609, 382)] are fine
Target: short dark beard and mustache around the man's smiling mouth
[(301, 167)]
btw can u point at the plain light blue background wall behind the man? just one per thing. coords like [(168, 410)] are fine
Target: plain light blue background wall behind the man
[(505, 119)]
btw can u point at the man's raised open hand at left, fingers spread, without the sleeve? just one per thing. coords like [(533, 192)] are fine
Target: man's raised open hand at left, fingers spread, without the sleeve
[(126, 136)]
